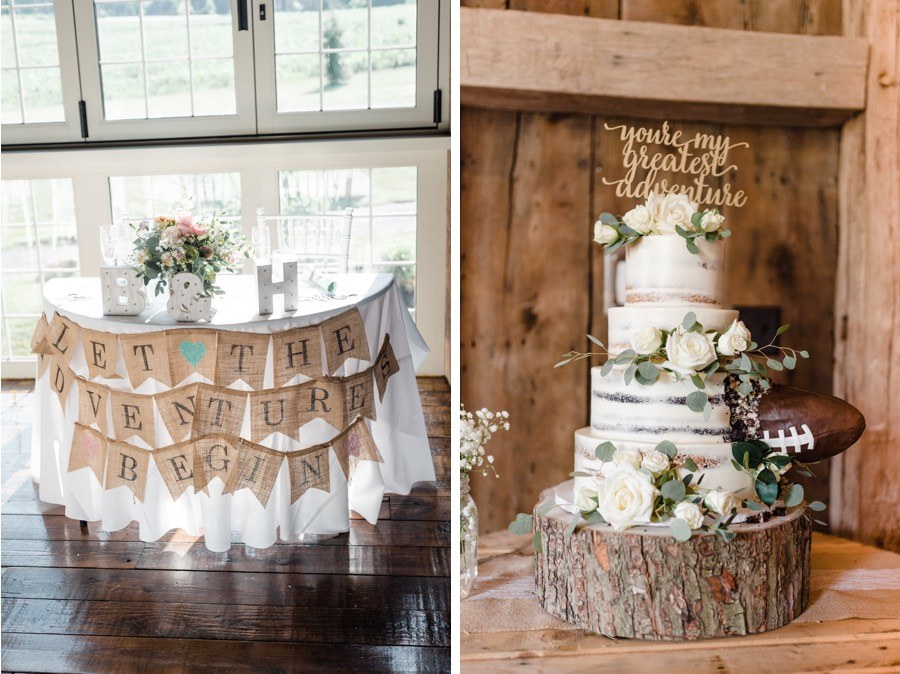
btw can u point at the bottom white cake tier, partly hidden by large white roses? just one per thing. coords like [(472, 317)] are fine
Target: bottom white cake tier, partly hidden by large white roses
[(713, 460)]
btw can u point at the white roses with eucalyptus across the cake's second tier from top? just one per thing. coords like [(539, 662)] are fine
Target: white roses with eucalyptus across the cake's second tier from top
[(689, 351)]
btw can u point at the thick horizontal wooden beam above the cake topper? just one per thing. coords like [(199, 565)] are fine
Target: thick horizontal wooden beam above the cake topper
[(553, 63)]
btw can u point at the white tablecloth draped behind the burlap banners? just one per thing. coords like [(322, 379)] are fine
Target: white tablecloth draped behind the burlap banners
[(399, 431)]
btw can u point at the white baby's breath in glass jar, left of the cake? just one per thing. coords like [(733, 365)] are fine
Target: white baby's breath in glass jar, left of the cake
[(475, 431)]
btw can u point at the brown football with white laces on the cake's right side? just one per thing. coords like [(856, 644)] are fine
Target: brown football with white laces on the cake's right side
[(809, 426)]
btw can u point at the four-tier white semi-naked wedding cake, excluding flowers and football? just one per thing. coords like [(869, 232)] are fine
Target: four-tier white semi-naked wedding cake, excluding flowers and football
[(664, 283)]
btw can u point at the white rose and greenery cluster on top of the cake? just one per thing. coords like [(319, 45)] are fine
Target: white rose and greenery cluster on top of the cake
[(671, 213)]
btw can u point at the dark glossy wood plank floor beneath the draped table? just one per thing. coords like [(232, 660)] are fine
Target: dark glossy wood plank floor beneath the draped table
[(374, 600)]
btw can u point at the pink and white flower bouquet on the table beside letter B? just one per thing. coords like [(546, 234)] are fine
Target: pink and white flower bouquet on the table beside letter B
[(169, 244)]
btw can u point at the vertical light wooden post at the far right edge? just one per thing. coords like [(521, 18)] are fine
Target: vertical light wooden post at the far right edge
[(865, 480)]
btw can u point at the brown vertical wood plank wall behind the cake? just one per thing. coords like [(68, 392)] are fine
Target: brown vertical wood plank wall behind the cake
[(532, 282)]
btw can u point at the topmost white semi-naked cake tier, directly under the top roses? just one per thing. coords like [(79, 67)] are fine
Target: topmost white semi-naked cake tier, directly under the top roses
[(659, 270)]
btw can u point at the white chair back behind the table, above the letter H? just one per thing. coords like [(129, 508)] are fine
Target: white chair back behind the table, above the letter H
[(320, 240)]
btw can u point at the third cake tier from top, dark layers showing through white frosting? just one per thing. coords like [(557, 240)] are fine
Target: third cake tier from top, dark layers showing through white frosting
[(634, 411)]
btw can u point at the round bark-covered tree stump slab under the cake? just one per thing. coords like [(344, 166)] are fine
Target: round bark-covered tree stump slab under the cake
[(641, 583)]
